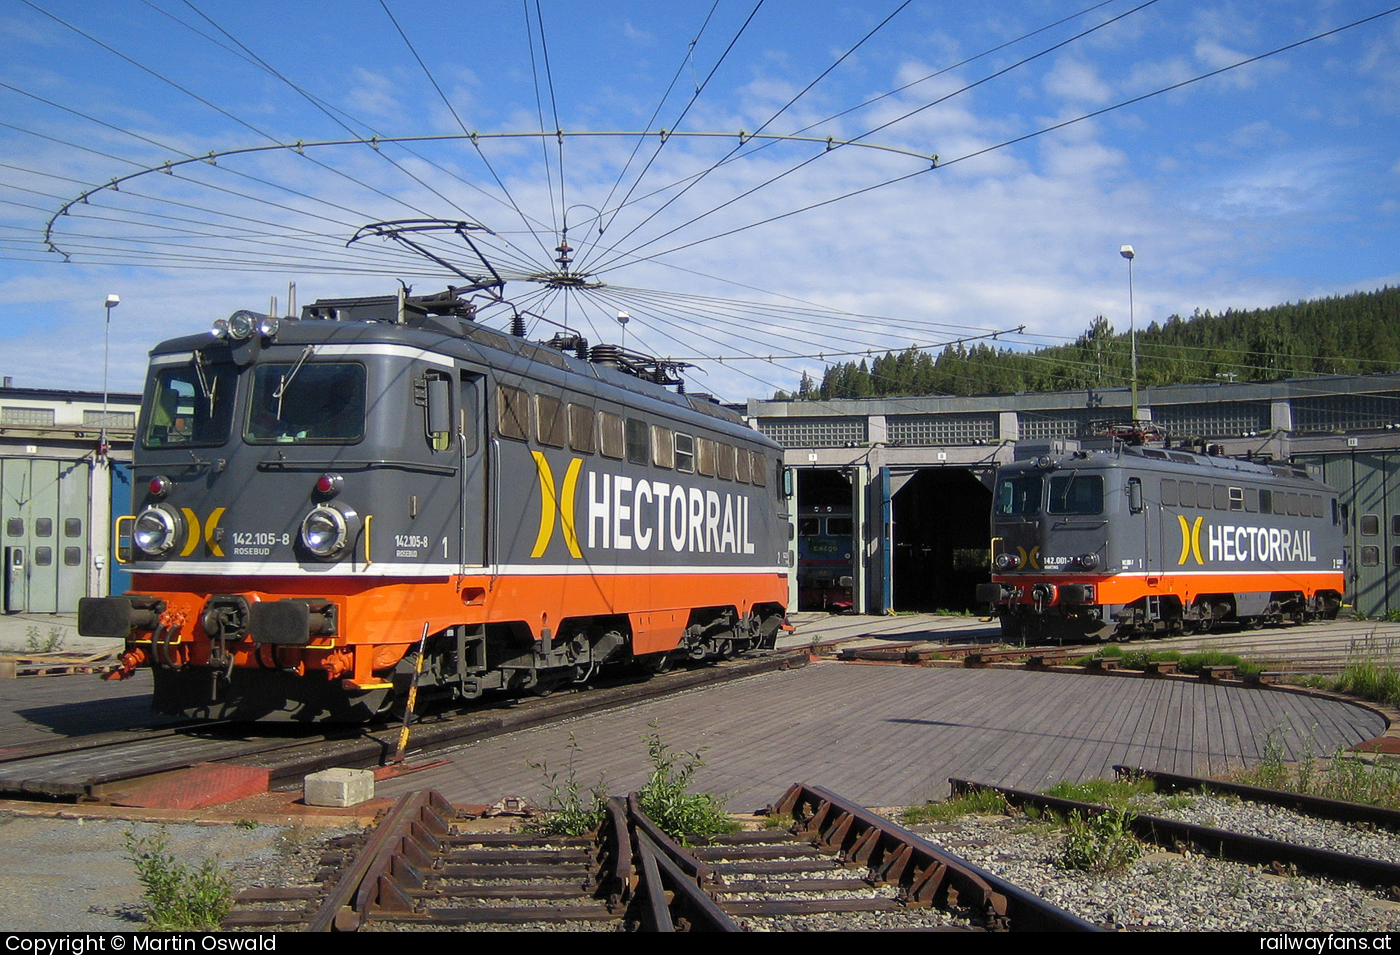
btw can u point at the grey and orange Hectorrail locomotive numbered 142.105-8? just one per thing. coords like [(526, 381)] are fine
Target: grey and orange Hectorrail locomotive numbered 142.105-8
[(316, 509)]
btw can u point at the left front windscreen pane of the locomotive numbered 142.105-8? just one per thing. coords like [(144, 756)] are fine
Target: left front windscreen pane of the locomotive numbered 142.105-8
[(191, 407)]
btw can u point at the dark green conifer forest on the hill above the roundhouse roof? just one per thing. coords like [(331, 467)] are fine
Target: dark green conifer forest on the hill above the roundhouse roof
[(1353, 334)]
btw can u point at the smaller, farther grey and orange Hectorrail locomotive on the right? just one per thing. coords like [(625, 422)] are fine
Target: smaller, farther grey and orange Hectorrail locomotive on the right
[(1147, 543)]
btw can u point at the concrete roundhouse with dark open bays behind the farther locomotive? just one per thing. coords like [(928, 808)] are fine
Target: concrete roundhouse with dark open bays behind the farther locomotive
[(894, 495)]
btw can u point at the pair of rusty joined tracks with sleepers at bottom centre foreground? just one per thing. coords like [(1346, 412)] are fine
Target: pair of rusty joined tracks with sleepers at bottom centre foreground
[(828, 865)]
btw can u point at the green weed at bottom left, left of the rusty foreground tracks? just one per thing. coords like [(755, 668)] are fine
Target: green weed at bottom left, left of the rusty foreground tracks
[(178, 898)]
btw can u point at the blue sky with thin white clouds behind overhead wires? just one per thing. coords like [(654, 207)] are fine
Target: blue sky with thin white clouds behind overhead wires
[(1270, 183)]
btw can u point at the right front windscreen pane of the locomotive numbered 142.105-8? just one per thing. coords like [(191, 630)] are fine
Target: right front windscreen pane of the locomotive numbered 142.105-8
[(313, 403)]
